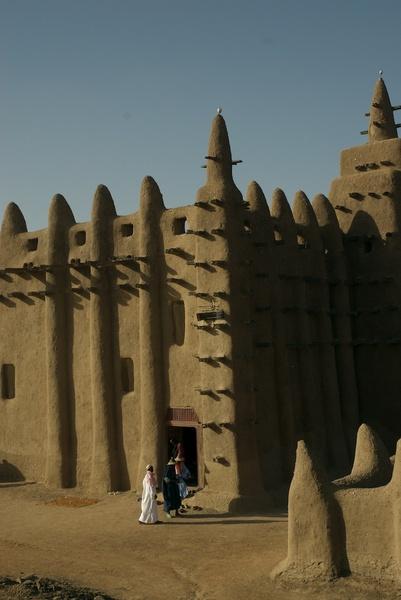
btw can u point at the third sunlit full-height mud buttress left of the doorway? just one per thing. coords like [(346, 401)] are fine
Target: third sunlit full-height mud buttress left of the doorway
[(58, 467)]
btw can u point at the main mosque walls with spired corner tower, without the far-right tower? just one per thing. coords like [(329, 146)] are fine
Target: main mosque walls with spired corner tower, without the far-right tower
[(259, 374)]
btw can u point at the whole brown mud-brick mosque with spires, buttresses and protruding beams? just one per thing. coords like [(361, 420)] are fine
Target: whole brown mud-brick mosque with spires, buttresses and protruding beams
[(238, 328)]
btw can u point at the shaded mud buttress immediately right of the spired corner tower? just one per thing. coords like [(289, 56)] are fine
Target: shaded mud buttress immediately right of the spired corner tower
[(264, 305)]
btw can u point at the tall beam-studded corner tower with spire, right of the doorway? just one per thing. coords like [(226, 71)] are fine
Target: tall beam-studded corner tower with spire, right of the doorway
[(226, 380)]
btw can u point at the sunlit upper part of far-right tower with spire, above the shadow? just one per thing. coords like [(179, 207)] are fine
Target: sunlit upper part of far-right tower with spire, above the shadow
[(366, 196)]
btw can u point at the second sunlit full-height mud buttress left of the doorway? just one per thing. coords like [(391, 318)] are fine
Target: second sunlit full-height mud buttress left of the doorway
[(104, 476)]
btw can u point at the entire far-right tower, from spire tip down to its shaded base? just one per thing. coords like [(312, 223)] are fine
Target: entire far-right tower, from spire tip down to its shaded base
[(367, 200)]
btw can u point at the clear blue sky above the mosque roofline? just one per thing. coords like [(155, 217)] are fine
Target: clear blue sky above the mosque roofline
[(108, 91)]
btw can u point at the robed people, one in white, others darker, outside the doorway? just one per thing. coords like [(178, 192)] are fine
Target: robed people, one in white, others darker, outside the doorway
[(175, 475)]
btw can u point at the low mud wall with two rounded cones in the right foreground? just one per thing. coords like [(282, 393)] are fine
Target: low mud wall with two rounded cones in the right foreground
[(350, 525)]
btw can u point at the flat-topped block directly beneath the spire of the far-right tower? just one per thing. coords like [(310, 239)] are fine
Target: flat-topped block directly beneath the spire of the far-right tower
[(384, 154)]
